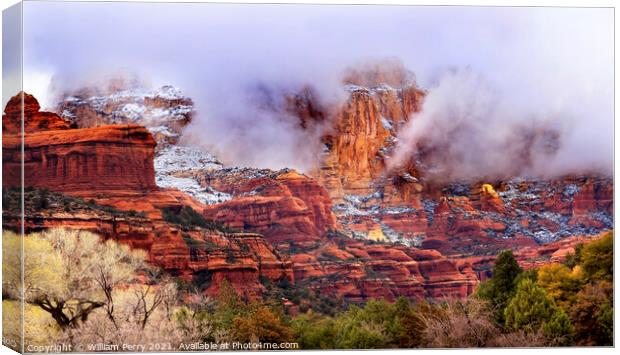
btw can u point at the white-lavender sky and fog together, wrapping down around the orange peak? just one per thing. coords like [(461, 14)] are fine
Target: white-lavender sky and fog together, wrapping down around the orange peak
[(488, 72)]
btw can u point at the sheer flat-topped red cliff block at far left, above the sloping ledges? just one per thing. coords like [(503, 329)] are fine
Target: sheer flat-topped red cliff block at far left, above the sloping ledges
[(95, 159)]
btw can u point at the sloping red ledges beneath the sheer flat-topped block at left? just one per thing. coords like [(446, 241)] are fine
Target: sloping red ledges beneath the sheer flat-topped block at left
[(203, 256)]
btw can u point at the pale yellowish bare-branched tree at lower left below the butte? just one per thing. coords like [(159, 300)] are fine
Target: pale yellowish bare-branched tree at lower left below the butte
[(70, 273)]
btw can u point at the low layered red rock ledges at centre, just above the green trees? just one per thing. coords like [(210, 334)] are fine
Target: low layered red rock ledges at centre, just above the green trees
[(358, 271)]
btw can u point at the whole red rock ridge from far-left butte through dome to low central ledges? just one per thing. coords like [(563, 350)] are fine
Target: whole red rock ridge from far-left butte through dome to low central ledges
[(102, 179)]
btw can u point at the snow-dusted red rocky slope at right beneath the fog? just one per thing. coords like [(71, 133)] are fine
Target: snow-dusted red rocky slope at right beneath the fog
[(475, 219)]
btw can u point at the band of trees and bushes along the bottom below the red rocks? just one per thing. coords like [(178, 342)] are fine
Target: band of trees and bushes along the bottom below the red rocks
[(79, 289)]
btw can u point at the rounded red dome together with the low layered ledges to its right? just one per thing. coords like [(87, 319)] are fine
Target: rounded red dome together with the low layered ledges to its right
[(294, 214)]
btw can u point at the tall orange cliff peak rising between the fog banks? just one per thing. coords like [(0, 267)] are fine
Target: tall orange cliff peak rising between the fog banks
[(364, 131)]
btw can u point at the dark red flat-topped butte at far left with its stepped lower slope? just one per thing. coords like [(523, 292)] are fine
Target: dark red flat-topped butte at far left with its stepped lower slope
[(102, 179)]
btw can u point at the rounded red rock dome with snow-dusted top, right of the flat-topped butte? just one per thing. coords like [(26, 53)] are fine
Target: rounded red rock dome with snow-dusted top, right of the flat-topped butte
[(282, 205)]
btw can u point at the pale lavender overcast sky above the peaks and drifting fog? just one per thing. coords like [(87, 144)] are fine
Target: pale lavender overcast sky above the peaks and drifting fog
[(537, 60)]
